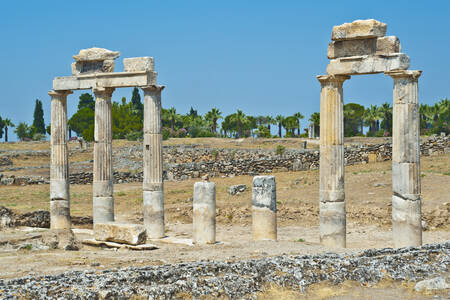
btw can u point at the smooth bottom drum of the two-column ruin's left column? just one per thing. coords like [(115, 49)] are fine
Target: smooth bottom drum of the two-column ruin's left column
[(332, 224)]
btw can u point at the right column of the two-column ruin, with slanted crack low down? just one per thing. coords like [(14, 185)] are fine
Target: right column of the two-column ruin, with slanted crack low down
[(406, 202)]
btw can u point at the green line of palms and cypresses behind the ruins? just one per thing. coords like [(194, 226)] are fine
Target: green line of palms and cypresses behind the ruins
[(127, 121)]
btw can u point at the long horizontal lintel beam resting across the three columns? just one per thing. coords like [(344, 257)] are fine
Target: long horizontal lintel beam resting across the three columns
[(105, 80)]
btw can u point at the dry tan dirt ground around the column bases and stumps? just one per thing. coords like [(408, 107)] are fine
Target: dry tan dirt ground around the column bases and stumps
[(368, 195)]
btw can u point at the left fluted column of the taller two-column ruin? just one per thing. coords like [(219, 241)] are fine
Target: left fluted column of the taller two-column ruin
[(332, 220)]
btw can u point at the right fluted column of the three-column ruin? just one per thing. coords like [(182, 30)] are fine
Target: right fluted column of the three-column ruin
[(153, 189)]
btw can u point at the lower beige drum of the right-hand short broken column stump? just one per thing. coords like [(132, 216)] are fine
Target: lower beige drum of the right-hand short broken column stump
[(264, 224)]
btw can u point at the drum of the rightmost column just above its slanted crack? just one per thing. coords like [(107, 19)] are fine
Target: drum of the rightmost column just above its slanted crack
[(406, 180)]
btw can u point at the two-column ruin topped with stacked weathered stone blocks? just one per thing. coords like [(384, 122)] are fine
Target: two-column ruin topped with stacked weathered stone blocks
[(361, 47)]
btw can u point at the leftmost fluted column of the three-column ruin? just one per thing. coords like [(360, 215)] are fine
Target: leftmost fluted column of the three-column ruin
[(59, 163)]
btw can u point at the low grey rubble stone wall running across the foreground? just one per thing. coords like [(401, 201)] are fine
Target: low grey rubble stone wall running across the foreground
[(239, 279)]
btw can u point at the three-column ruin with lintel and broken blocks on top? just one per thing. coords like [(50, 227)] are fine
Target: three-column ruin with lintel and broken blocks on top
[(94, 69)]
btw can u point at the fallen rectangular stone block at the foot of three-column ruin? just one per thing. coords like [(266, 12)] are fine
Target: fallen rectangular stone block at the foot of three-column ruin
[(131, 234)]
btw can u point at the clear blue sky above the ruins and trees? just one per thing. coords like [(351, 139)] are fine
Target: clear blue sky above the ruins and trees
[(258, 56)]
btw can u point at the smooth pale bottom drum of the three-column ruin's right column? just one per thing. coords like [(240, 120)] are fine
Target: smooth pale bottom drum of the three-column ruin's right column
[(154, 214)]
